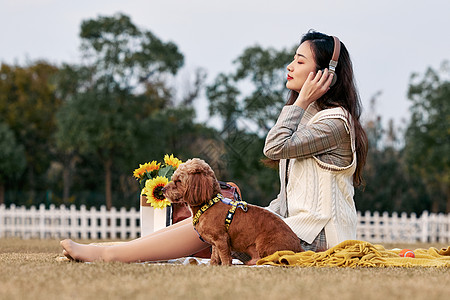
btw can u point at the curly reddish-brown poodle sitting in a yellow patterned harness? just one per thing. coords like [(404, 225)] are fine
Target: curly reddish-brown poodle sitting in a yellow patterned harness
[(257, 232)]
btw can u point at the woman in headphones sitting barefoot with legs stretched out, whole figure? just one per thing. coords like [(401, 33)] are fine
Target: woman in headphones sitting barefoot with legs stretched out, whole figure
[(334, 142)]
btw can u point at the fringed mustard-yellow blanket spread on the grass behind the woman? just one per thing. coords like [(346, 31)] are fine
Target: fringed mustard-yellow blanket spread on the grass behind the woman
[(359, 254)]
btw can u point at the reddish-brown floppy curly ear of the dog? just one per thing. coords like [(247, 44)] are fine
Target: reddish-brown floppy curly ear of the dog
[(199, 189)]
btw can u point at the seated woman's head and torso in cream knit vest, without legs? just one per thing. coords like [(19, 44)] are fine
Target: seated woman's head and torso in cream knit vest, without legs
[(320, 144)]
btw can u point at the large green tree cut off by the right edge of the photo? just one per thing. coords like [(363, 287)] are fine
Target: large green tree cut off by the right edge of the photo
[(427, 139)]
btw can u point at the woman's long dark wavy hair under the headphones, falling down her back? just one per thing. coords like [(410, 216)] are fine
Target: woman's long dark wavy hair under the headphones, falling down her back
[(343, 93)]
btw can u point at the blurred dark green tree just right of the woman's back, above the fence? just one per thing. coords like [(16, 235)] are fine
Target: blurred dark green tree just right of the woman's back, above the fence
[(388, 185)]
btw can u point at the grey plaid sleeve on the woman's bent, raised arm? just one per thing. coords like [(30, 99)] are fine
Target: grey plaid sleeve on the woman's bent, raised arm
[(289, 139)]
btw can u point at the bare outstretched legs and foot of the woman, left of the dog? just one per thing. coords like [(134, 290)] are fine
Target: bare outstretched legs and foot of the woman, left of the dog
[(172, 242)]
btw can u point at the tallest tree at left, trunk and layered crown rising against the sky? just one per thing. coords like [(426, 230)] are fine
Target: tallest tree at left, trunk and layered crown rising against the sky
[(123, 89)]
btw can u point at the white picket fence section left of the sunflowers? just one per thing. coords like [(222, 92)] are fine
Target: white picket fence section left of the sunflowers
[(69, 222)]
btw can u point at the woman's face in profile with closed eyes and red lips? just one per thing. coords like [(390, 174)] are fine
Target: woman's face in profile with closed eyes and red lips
[(300, 67)]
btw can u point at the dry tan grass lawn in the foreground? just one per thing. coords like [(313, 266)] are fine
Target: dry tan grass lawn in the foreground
[(28, 270)]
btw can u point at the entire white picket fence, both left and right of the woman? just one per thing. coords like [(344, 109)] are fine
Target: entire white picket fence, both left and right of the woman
[(62, 222)]
